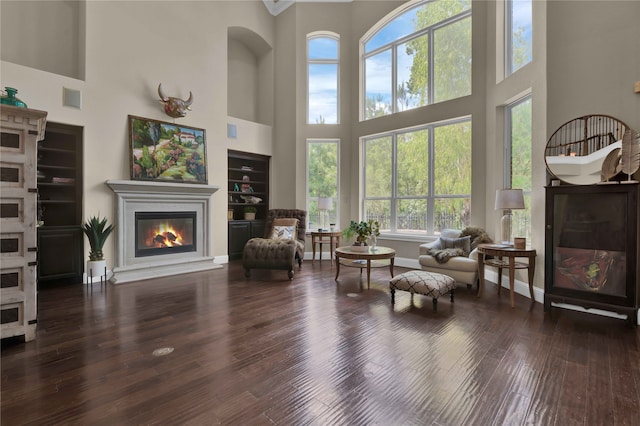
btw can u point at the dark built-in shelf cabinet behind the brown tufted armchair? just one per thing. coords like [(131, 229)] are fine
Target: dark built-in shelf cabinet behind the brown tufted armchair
[(248, 176)]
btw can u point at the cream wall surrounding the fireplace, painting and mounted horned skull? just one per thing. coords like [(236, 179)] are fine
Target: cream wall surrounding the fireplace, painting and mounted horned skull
[(131, 47)]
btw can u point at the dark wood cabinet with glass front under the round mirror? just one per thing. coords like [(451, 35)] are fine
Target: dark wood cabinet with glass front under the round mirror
[(591, 247)]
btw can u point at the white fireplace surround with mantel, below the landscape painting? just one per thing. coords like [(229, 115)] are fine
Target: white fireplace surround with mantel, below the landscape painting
[(148, 203)]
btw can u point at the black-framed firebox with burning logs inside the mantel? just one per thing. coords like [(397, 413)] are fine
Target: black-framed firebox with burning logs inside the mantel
[(164, 233)]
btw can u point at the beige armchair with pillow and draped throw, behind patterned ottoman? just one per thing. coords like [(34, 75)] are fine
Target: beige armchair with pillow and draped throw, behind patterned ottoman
[(464, 268)]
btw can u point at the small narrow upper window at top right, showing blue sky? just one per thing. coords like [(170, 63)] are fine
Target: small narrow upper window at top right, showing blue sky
[(519, 31)]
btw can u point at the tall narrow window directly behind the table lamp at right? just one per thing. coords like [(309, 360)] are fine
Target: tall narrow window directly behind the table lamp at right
[(518, 161)]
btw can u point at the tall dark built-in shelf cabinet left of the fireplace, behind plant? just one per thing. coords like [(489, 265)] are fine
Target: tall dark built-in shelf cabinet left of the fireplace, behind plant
[(60, 238)]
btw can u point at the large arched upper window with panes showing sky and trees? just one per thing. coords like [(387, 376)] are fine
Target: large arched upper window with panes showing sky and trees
[(419, 57)]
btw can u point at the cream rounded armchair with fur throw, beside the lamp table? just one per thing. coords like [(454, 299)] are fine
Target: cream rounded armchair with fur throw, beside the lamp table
[(462, 269)]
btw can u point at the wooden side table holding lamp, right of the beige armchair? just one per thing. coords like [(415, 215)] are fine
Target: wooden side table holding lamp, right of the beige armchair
[(499, 251)]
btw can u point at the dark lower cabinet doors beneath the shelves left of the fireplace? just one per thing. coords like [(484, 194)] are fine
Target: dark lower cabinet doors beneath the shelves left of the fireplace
[(60, 254)]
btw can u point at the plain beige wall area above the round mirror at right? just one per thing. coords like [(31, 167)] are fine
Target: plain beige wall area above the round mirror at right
[(593, 60)]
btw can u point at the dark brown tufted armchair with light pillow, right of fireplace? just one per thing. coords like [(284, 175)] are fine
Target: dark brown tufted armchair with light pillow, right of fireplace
[(282, 245)]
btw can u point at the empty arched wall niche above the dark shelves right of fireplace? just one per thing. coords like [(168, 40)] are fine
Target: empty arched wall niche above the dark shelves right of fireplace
[(249, 76)]
